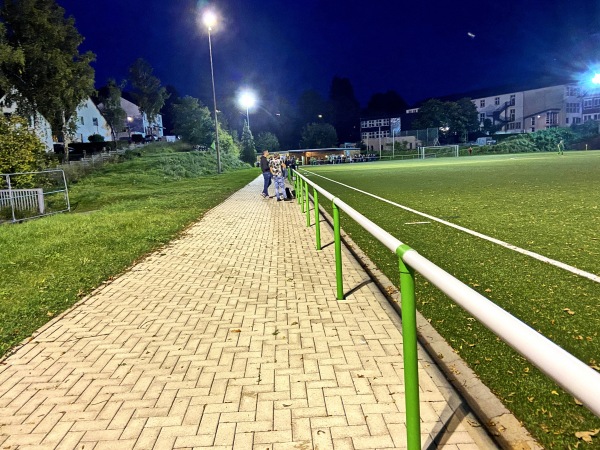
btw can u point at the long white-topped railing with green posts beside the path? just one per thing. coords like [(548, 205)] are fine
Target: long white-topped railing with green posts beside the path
[(573, 375)]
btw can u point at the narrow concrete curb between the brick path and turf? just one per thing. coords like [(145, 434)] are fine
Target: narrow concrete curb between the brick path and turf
[(507, 431)]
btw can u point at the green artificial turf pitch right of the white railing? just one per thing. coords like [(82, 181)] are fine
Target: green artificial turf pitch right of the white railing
[(543, 202)]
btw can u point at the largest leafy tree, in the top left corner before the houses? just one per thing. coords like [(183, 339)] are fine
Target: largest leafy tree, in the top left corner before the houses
[(55, 78)]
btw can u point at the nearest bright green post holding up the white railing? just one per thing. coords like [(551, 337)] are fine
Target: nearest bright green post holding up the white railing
[(409, 347)]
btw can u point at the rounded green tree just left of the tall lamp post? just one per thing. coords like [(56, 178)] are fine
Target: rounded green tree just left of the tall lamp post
[(192, 121)]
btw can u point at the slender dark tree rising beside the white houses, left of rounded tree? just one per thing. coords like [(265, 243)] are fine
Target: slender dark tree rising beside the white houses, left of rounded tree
[(148, 94)]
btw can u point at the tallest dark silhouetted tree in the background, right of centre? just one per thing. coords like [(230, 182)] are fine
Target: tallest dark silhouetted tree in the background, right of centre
[(345, 109)]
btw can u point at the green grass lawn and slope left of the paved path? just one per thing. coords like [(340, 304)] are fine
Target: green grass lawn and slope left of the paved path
[(120, 213)]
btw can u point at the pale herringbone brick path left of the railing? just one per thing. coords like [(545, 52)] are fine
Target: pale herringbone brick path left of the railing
[(230, 337)]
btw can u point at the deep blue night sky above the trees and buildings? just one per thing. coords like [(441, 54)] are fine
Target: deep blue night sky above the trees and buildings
[(282, 48)]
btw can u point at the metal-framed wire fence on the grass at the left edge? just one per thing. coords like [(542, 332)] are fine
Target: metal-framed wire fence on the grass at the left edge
[(27, 195)]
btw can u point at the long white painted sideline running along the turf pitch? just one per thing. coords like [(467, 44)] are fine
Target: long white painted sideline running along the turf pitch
[(553, 262)]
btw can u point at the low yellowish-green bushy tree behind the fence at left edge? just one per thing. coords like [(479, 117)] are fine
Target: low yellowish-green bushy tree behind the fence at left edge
[(20, 149)]
